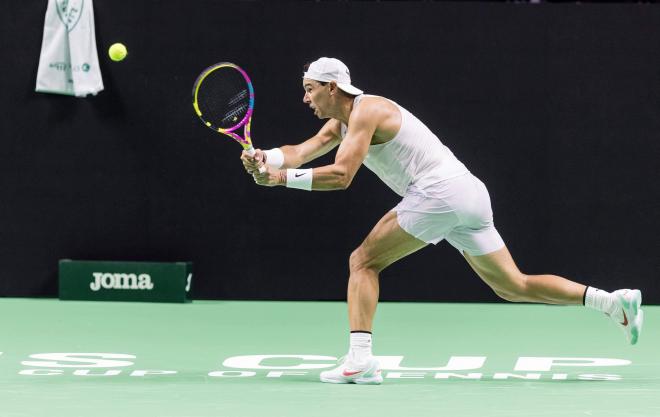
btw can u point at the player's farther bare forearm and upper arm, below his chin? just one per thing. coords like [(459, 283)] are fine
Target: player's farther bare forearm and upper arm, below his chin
[(318, 145)]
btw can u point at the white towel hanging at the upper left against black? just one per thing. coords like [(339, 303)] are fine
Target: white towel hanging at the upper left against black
[(69, 62)]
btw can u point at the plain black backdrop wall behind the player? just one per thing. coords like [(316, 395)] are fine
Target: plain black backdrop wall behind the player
[(555, 107)]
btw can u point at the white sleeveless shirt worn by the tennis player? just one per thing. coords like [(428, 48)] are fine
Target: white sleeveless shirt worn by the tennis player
[(415, 158)]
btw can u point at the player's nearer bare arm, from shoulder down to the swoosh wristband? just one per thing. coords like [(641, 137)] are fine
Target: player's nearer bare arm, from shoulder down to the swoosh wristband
[(351, 152)]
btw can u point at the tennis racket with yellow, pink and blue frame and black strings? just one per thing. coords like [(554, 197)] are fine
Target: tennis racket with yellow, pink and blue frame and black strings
[(223, 99)]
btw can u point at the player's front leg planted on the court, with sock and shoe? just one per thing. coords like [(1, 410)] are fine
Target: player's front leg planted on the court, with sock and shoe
[(386, 243)]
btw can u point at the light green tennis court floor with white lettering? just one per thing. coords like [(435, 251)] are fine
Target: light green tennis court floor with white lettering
[(220, 358)]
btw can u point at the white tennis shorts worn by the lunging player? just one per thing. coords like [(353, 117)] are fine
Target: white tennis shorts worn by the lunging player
[(457, 209)]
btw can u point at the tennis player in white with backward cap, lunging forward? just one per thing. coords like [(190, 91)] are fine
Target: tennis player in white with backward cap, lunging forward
[(441, 200)]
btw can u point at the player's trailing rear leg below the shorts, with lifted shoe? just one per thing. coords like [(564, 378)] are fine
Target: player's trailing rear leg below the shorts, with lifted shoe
[(499, 271)]
